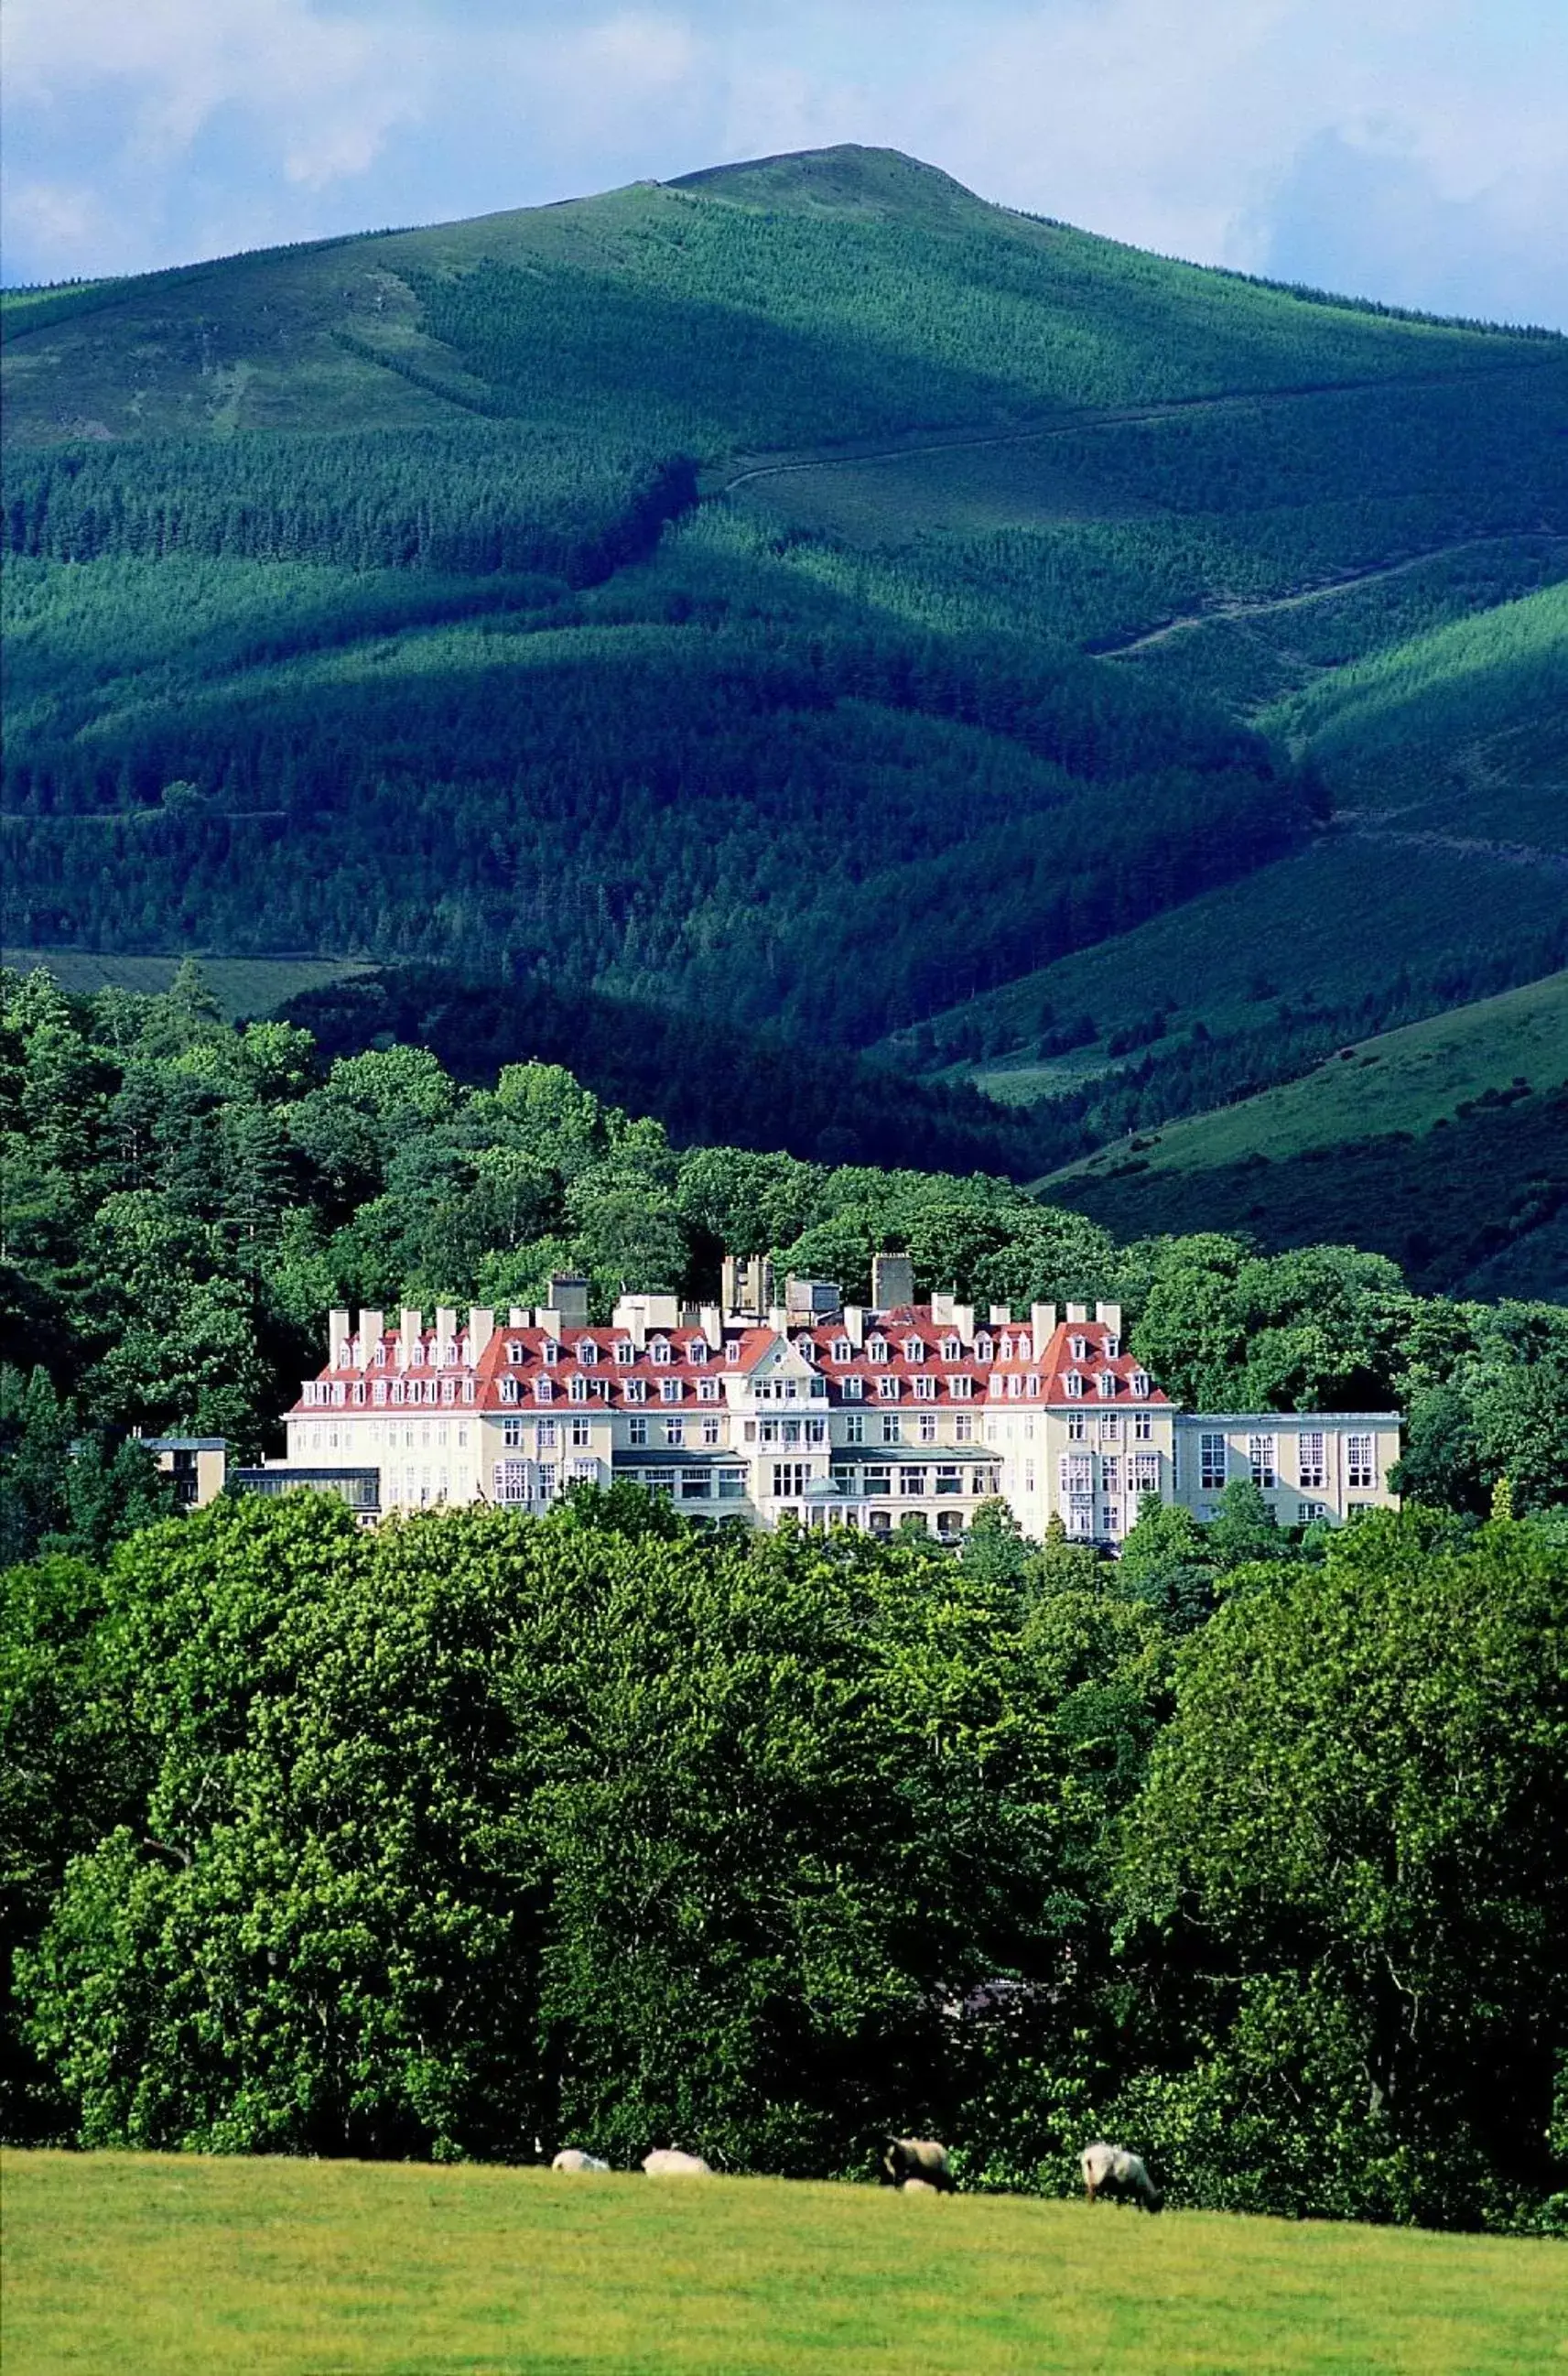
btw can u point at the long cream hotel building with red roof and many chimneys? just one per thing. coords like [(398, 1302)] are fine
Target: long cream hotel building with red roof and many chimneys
[(833, 1415)]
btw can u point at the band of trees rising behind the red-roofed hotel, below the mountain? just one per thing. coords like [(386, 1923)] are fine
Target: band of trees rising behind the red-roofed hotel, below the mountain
[(186, 1201)]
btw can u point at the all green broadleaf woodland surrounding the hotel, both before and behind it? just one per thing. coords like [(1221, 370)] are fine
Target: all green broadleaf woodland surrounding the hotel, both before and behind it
[(493, 1831)]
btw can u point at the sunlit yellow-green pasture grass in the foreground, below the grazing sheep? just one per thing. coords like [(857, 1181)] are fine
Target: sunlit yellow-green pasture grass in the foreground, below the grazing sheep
[(163, 2266)]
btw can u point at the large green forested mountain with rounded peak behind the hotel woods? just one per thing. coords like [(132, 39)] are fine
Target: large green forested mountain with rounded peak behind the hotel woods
[(811, 598)]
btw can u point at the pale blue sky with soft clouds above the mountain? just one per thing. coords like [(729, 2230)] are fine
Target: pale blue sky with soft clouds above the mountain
[(1412, 151)]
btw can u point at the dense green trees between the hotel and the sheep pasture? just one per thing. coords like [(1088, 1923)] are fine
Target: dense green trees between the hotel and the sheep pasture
[(379, 1845)]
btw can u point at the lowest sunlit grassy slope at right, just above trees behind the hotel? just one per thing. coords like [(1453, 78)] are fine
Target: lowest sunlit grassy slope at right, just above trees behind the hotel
[(1396, 1082)]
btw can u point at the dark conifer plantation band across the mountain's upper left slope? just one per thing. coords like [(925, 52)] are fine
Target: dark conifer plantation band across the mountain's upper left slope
[(474, 500)]
